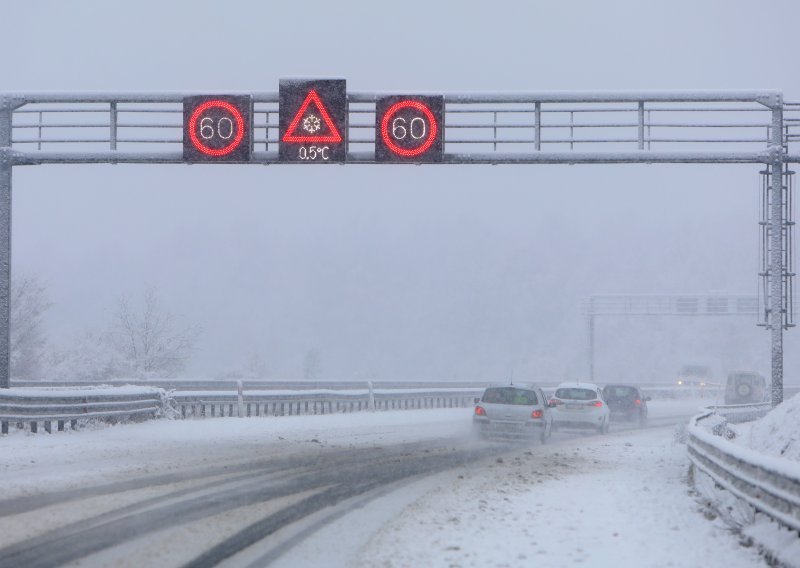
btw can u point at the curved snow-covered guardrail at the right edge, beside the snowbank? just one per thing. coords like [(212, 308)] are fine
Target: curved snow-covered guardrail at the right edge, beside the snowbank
[(769, 484)]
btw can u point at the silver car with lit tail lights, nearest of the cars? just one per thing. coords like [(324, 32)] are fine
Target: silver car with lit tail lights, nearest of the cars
[(513, 411)]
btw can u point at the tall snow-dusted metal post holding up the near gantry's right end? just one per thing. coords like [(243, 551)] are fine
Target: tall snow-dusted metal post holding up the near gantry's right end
[(776, 269)]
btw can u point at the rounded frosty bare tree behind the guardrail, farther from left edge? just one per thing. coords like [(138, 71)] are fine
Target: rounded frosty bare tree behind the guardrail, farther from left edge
[(151, 340)]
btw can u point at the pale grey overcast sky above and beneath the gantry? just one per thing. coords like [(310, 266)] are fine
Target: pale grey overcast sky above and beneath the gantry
[(469, 272)]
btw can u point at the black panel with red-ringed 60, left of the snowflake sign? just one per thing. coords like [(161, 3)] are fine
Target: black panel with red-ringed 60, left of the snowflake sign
[(217, 128)]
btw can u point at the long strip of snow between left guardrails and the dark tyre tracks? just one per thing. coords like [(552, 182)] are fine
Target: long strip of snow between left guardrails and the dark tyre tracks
[(76, 458)]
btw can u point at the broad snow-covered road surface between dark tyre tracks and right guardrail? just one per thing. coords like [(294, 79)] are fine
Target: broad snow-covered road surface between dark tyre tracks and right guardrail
[(618, 500)]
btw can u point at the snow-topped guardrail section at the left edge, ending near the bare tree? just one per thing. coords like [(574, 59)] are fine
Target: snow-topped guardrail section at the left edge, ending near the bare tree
[(27, 406)]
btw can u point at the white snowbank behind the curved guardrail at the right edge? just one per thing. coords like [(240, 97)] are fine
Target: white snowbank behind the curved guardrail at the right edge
[(777, 433)]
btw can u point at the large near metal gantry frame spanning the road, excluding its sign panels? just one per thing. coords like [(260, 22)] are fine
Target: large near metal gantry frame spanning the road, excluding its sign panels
[(479, 128)]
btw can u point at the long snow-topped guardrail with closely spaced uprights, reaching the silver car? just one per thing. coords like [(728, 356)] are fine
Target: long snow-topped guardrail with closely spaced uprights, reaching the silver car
[(284, 403)]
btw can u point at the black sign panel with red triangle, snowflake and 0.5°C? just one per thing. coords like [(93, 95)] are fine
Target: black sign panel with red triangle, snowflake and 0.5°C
[(313, 121)]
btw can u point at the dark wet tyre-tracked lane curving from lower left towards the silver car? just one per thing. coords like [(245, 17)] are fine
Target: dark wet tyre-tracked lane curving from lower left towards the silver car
[(318, 480)]
